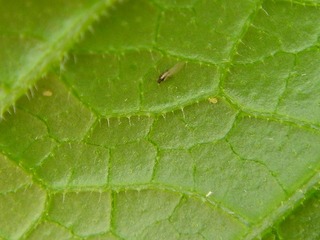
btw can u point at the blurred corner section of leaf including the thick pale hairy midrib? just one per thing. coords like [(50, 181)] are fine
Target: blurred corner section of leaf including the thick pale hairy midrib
[(36, 34)]
